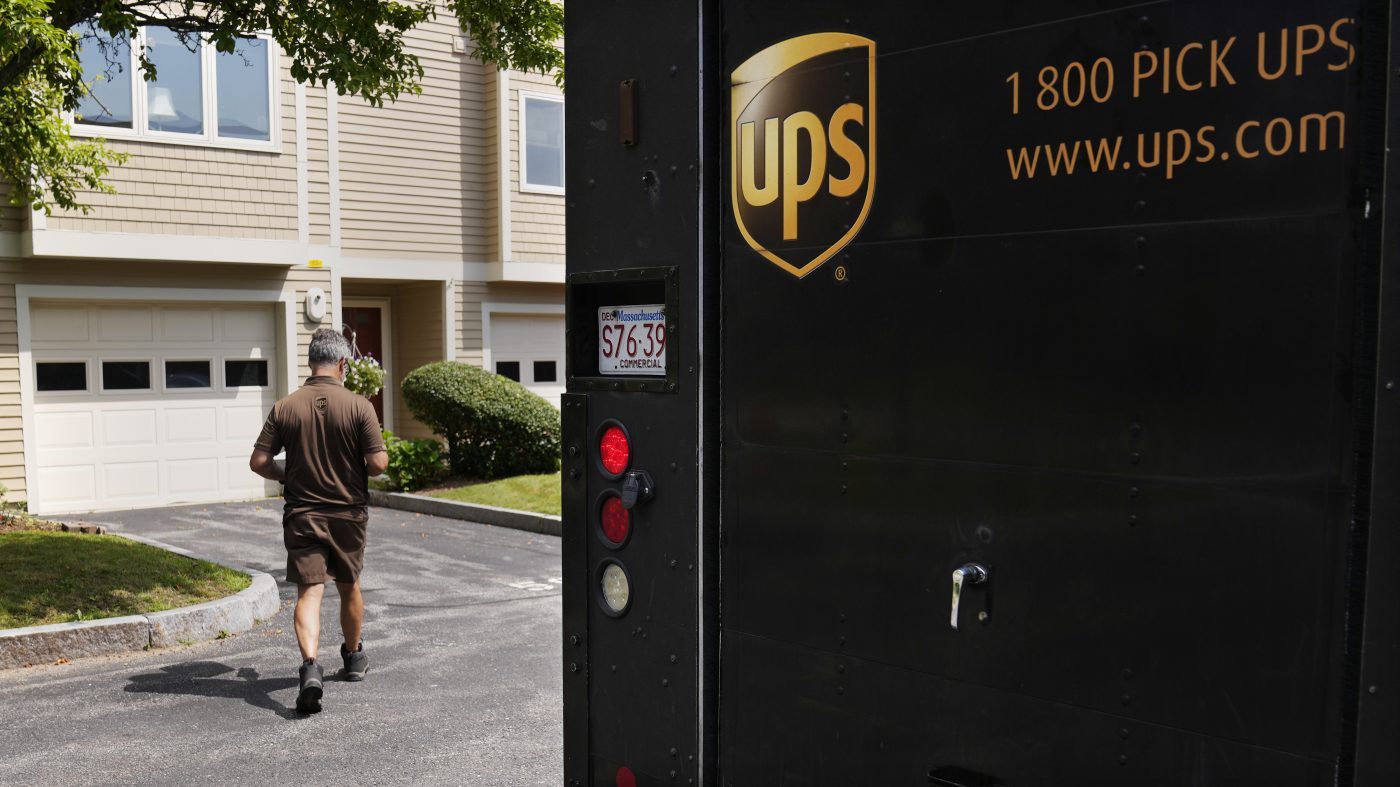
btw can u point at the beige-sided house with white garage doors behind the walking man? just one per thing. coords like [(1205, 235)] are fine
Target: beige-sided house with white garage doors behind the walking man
[(143, 344)]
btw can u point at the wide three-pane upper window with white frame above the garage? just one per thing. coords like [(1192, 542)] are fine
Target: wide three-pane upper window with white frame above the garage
[(199, 96)]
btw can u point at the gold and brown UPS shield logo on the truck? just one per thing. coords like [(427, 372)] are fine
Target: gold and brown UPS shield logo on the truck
[(803, 152)]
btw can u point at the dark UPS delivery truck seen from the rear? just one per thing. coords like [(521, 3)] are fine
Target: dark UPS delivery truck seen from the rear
[(982, 393)]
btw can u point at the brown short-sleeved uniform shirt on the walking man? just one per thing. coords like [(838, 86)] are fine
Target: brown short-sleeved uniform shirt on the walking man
[(327, 432)]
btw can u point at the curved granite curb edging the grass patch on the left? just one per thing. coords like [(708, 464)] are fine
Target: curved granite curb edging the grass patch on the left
[(232, 615)]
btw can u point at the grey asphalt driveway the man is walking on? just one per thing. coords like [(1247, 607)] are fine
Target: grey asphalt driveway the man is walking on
[(464, 683)]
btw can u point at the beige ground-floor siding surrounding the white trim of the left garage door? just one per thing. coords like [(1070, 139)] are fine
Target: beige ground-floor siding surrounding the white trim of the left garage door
[(121, 275)]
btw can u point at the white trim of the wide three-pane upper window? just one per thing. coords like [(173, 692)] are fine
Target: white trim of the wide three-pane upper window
[(209, 88)]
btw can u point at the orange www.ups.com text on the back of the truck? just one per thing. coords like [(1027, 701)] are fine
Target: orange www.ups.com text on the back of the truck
[(1174, 149)]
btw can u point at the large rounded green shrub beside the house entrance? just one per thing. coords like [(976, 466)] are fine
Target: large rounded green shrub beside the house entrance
[(493, 426)]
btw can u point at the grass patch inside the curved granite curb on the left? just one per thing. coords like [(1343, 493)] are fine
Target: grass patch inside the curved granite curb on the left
[(59, 578)]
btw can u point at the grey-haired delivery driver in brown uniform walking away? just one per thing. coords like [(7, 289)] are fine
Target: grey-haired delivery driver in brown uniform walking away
[(334, 446)]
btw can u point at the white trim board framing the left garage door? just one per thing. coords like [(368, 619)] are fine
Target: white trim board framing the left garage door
[(24, 293)]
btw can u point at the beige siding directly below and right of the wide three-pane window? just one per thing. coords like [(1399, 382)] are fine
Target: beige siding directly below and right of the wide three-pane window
[(185, 190)]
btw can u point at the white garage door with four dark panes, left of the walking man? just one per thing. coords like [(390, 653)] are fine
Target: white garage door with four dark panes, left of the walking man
[(148, 405)]
